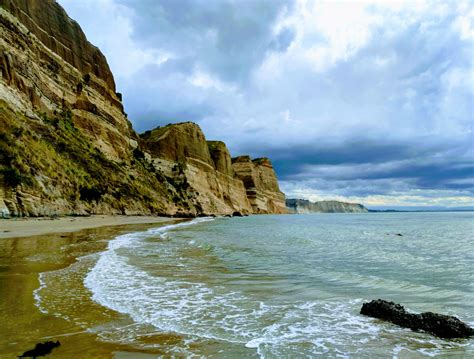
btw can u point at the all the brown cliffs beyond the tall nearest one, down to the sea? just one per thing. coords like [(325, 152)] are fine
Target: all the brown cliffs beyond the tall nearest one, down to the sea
[(214, 185)]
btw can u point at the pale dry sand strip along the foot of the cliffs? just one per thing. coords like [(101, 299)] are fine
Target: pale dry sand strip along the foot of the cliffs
[(27, 227)]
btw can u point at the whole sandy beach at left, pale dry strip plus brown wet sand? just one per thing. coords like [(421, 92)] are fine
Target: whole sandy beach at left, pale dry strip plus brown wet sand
[(21, 262)]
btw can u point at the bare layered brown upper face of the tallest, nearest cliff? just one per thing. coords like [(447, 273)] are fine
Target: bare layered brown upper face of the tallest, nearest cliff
[(49, 67)]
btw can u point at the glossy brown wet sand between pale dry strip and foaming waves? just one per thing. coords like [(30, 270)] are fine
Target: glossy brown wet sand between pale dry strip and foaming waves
[(23, 324)]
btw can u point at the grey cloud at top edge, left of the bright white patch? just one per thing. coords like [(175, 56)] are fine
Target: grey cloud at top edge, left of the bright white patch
[(225, 37)]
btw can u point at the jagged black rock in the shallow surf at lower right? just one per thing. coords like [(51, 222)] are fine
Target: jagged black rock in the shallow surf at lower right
[(443, 326)]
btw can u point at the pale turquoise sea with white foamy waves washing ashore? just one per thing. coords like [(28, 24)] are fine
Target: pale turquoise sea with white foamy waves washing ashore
[(290, 285)]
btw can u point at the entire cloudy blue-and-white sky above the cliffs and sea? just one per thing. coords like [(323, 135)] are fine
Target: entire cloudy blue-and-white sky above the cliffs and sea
[(360, 101)]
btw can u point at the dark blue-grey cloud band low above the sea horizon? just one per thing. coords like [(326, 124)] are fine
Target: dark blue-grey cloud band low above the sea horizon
[(380, 167)]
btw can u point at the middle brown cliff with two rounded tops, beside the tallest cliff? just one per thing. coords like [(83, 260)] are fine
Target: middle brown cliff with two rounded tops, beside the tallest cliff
[(181, 151)]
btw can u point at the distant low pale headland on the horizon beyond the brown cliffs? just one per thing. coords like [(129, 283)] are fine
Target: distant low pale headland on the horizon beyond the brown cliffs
[(305, 206)]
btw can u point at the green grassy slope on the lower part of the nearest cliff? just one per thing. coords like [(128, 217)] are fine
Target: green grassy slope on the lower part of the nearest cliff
[(53, 158)]
